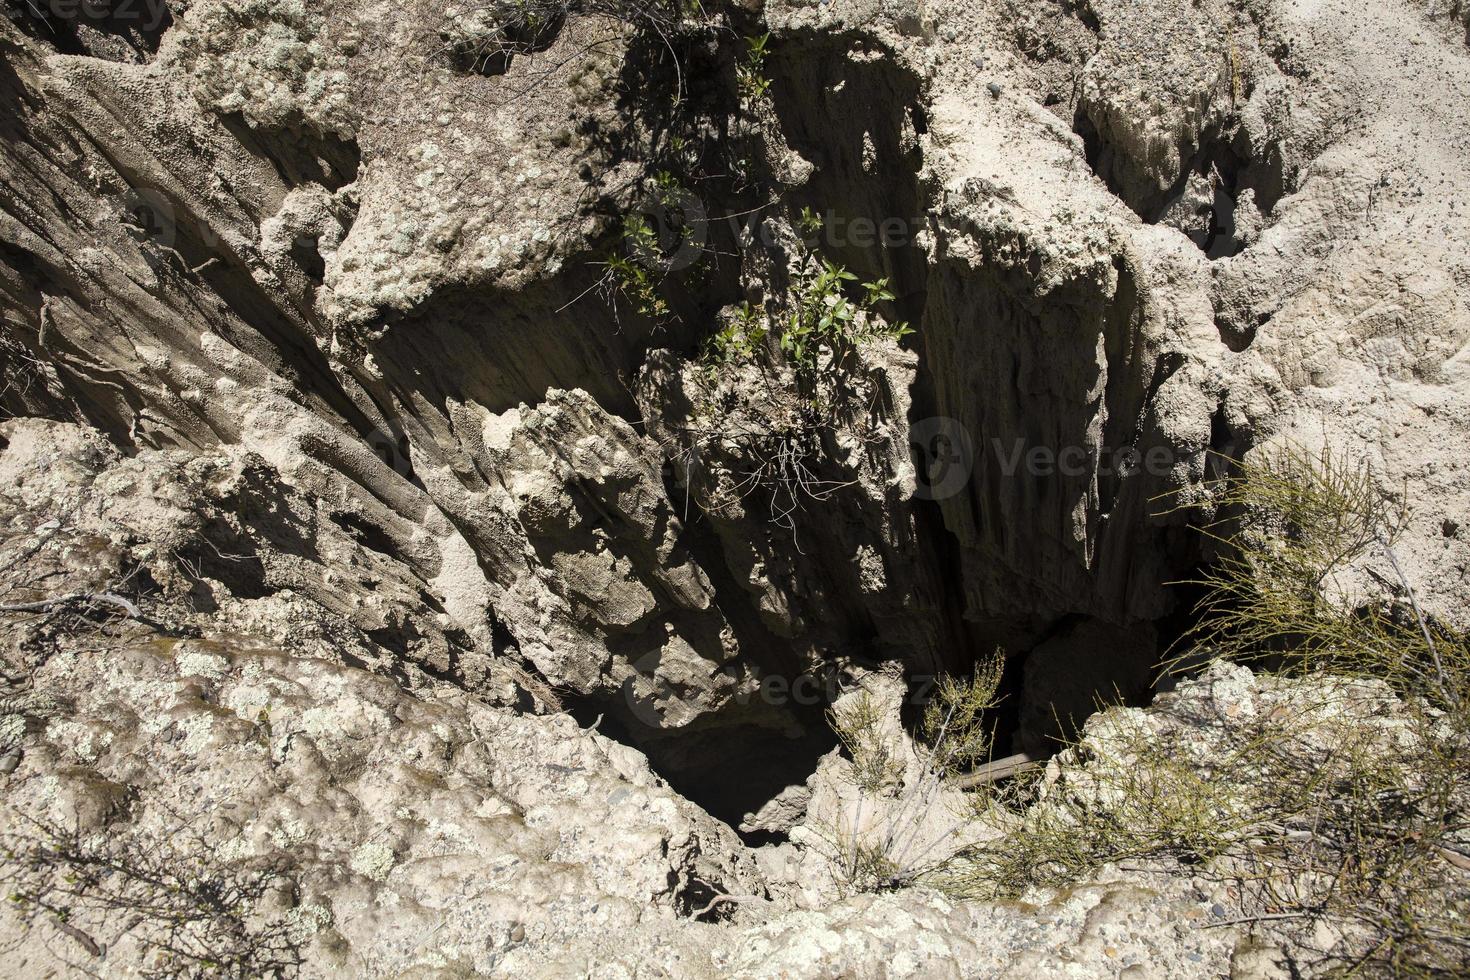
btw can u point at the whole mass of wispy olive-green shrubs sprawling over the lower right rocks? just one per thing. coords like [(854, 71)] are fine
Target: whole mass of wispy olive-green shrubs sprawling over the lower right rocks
[(1346, 806)]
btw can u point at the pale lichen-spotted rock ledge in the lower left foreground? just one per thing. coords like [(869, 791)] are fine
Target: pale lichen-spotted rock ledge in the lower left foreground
[(389, 831)]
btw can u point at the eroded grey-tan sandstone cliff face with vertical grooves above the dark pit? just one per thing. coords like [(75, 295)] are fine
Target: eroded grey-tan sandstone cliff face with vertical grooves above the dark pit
[(308, 320)]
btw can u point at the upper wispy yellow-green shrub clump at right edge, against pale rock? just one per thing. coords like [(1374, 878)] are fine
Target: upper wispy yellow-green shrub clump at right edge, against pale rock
[(1293, 527)]
